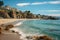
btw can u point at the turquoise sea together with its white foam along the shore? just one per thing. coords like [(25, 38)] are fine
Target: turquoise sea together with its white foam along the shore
[(35, 27)]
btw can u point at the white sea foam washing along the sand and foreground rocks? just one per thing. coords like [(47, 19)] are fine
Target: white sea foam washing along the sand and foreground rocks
[(23, 35)]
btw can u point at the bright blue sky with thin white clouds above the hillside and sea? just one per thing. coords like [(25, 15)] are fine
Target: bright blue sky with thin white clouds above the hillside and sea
[(43, 7)]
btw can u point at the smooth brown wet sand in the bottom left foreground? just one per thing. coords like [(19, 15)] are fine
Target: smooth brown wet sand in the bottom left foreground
[(9, 36)]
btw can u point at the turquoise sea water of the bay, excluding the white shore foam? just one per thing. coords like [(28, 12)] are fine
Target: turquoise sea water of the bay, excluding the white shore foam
[(46, 27)]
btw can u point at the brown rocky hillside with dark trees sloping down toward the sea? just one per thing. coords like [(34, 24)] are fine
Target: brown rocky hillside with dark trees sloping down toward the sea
[(9, 12)]
